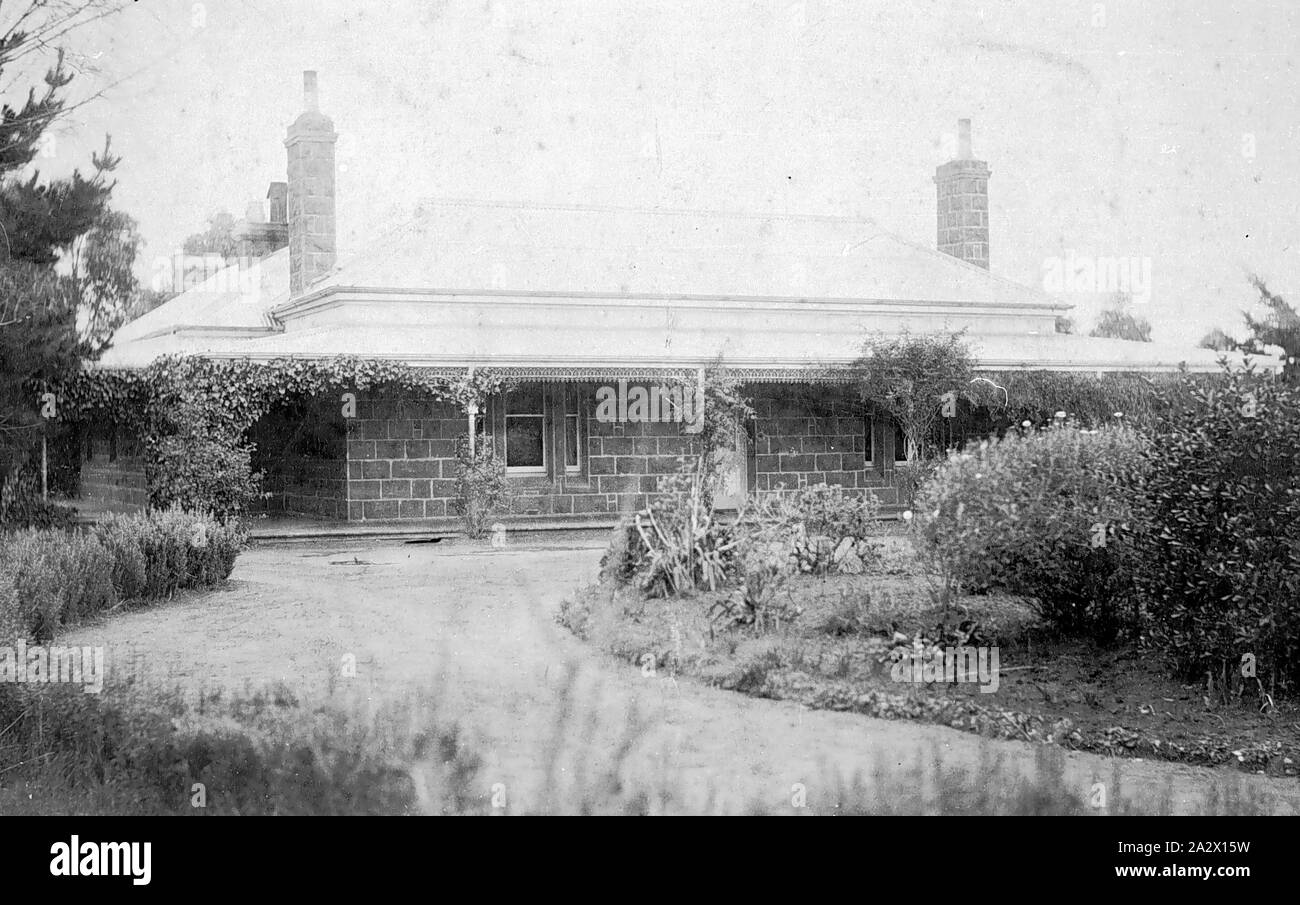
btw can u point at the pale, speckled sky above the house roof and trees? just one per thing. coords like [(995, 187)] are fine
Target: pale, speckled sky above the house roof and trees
[(1158, 136)]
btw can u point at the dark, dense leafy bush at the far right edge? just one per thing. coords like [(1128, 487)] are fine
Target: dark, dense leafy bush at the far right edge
[(1220, 532)]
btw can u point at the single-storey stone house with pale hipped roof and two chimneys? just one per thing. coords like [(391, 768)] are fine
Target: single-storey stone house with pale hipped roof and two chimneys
[(577, 304)]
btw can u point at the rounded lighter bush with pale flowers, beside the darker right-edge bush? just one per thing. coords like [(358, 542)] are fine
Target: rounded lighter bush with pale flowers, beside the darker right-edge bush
[(1043, 514)]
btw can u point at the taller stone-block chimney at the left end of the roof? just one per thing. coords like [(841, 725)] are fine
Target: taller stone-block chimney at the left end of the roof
[(310, 198)]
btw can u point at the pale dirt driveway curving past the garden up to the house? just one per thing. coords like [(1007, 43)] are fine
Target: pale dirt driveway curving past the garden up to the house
[(473, 626)]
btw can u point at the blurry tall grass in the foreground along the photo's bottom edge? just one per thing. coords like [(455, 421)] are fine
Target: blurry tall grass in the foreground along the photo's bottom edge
[(145, 752)]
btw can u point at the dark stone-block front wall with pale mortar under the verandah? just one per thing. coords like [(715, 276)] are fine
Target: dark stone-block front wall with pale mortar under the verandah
[(402, 458)]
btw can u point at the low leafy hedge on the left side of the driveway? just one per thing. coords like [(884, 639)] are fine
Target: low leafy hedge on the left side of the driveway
[(51, 579)]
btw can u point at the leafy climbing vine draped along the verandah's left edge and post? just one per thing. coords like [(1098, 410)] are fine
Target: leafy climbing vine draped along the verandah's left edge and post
[(192, 414)]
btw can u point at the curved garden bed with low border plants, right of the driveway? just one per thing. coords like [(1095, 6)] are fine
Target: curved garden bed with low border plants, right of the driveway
[(835, 655)]
